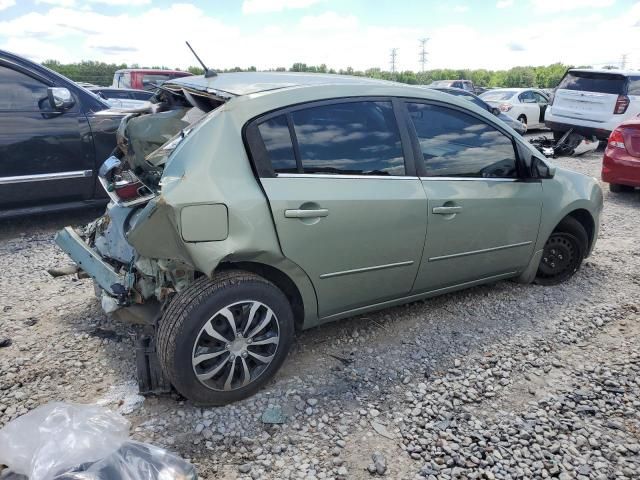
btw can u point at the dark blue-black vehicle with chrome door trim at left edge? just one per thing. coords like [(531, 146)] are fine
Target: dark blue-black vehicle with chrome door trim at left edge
[(54, 135)]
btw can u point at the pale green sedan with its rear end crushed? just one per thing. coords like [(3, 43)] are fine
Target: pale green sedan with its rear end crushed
[(292, 200)]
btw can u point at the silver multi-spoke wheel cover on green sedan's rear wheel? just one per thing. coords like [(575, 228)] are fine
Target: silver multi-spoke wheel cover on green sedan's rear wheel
[(235, 345)]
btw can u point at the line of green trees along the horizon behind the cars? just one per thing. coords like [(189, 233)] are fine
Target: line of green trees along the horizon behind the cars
[(548, 76)]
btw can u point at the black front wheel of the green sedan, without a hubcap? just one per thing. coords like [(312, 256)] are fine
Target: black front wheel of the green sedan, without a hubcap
[(563, 253)]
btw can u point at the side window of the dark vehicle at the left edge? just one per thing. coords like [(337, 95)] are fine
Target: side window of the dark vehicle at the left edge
[(22, 93)]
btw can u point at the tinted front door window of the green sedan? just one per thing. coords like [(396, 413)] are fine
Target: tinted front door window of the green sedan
[(455, 144)]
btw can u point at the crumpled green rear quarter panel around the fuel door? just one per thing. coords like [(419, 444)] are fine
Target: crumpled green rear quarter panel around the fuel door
[(211, 167)]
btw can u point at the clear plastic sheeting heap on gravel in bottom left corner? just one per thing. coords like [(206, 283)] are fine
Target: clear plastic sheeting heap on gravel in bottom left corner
[(60, 441)]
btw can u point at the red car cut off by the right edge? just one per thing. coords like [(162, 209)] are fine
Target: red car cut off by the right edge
[(621, 162)]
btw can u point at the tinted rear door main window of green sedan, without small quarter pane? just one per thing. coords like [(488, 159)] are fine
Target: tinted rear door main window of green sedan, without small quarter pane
[(354, 138)]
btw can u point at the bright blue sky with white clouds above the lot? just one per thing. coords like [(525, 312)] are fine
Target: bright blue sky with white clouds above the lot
[(357, 33)]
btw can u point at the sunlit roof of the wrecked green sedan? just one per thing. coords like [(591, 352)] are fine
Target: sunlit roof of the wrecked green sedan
[(247, 83)]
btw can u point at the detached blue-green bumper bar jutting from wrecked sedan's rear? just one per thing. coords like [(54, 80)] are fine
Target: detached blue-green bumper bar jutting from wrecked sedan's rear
[(112, 282)]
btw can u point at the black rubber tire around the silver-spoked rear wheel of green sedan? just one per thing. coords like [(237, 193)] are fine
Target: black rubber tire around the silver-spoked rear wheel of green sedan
[(183, 325)]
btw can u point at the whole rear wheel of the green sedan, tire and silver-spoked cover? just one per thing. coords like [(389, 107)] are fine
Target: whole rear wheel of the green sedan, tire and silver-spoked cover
[(220, 340)]
